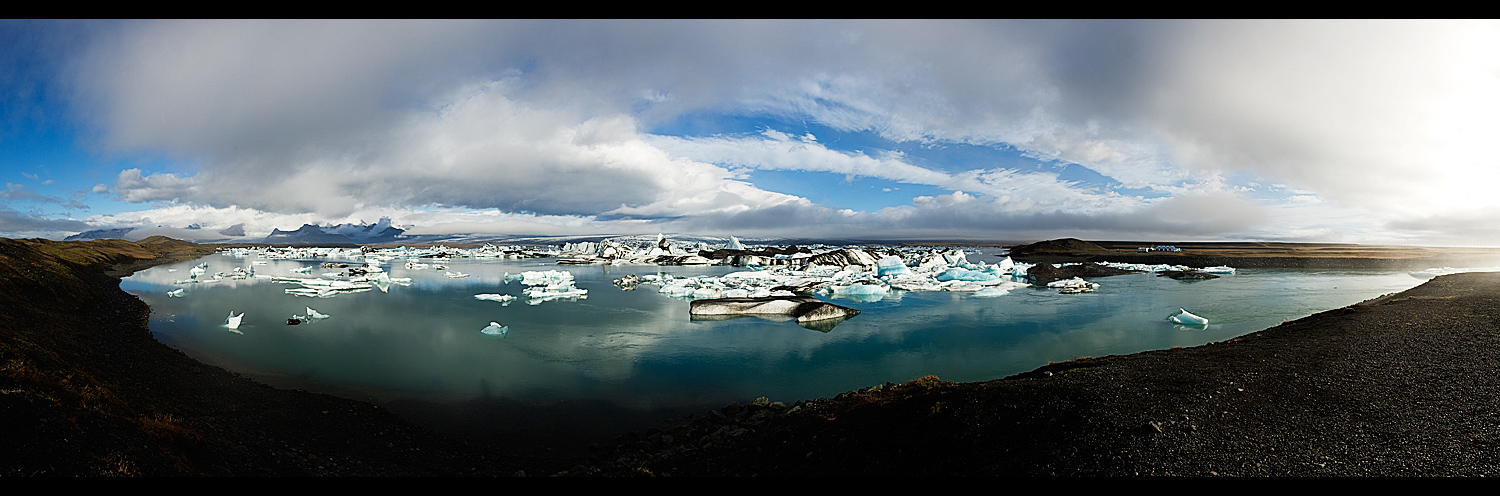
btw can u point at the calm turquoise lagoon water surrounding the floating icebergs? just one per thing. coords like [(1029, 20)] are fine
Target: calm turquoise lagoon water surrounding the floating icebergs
[(638, 350)]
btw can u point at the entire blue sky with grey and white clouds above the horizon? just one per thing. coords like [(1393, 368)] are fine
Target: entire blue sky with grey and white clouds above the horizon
[(968, 131)]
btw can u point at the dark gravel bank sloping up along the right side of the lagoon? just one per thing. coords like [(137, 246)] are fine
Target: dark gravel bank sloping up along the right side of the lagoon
[(1397, 386)]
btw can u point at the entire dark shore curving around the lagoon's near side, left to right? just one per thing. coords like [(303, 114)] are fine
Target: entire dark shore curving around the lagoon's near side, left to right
[(1397, 386)]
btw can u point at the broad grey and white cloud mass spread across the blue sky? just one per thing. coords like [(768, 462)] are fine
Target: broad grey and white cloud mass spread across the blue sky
[(1387, 119)]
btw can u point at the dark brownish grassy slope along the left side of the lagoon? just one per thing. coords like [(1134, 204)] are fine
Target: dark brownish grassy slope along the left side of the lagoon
[(86, 390)]
